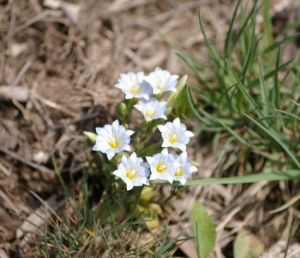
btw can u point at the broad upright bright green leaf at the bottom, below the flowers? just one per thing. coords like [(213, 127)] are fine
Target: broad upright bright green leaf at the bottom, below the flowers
[(203, 230)]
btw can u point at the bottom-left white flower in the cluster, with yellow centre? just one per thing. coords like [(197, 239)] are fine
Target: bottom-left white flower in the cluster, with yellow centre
[(133, 171)]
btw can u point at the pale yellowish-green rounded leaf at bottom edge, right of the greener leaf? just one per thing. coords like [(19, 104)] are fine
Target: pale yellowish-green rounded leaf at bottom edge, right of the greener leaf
[(247, 245)]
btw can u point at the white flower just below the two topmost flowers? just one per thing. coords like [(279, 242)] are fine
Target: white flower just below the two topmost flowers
[(152, 109)]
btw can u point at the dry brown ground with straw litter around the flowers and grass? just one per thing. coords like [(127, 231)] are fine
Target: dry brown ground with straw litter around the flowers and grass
[(59, 61)]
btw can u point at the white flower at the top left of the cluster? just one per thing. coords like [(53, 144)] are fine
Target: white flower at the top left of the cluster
[(133, 85)]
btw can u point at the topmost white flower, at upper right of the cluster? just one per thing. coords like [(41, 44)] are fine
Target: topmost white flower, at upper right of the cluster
[(161, 81)]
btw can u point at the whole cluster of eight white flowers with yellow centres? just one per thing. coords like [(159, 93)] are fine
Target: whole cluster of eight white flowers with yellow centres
[(148, 92)]
